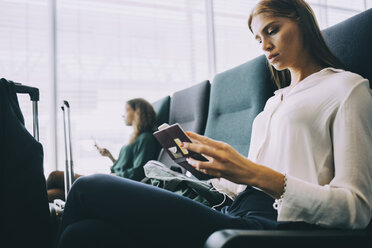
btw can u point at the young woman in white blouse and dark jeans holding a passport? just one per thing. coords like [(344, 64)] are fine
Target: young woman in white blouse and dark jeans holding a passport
[(309, 163)]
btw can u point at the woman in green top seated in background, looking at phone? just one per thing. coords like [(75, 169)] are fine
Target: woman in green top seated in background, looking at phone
[(142, 147)]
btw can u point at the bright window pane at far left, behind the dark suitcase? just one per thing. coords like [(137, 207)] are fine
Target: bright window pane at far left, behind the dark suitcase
[(24, 58)]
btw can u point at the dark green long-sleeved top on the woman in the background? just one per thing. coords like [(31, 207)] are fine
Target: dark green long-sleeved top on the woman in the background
[(134, 156)]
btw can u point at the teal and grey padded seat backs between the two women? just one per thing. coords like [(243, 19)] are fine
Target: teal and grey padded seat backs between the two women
[(223, 110)]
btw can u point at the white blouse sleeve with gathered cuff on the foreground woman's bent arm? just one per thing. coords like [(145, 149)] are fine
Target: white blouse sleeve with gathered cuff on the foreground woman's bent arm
[(346, 202)]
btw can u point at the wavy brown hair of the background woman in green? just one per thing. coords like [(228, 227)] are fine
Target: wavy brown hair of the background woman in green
[(144, 117)]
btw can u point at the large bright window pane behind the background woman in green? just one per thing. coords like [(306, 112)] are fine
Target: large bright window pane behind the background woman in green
[(112, 51)]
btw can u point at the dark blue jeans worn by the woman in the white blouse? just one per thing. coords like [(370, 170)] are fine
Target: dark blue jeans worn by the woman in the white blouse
[(109, 211)]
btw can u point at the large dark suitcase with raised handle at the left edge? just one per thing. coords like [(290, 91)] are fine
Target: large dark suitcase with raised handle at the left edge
[(25, 216)]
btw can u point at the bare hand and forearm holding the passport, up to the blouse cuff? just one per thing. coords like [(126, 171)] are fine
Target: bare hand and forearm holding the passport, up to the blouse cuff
[(225, 161)]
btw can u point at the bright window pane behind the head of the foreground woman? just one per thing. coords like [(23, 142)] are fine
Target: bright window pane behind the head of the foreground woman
[(234, 41)]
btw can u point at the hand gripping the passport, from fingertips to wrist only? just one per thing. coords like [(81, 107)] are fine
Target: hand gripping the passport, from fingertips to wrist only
[(224, 161)]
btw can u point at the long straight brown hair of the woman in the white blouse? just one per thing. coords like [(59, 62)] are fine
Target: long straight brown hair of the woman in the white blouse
[(300, 12)]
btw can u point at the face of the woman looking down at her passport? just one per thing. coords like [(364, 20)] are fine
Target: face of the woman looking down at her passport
[(281, 40)]
